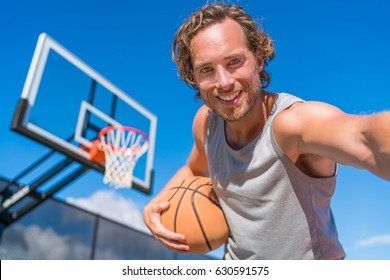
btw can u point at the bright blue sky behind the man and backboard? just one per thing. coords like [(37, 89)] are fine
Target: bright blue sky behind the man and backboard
[(331, 51)]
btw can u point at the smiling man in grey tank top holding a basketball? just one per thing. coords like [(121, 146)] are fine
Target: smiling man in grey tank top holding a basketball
[(272, 157)]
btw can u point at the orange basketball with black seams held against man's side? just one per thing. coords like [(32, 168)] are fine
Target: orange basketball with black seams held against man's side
[(195, 212)]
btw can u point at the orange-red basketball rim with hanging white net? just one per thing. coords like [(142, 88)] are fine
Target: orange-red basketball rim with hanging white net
[(122, 147)]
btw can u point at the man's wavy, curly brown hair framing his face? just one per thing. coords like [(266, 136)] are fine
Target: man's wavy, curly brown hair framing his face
[(211, 14)]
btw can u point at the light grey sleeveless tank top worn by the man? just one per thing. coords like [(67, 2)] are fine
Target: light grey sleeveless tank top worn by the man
[(273, 209)]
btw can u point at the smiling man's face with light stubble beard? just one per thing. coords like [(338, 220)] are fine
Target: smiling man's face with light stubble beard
[(225, 70)]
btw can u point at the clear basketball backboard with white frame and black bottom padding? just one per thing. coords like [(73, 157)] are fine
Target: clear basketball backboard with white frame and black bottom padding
[(65, 103)]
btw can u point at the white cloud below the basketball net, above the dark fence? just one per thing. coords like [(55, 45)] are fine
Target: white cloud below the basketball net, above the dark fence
[(111, 205)]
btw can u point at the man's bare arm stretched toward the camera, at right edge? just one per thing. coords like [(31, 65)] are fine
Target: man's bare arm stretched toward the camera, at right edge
[(315, 128)]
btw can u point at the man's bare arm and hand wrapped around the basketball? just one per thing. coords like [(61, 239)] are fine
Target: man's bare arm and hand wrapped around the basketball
[(195, 166)]
